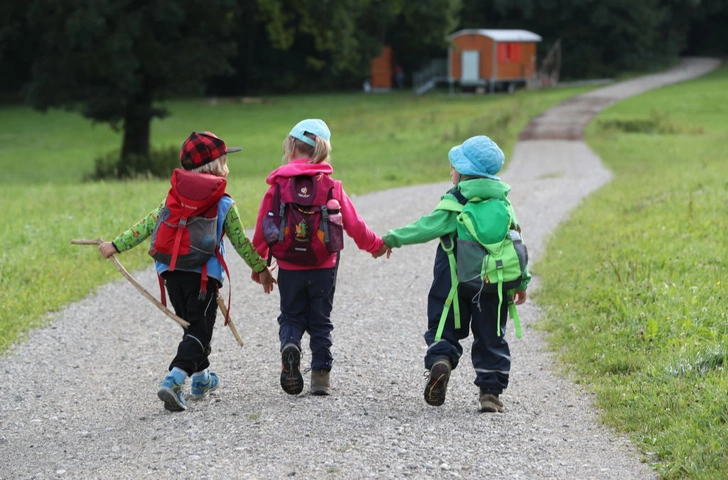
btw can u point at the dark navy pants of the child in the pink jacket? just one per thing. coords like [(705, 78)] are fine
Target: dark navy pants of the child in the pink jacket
[(307, 298)]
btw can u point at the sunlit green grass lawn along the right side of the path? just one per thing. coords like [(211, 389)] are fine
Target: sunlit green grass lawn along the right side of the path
[(644, 325)]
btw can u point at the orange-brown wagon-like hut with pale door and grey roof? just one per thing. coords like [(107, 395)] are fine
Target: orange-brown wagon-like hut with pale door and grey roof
[(492, 58)]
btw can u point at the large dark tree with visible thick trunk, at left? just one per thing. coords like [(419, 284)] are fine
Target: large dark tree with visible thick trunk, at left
[(115, 61)]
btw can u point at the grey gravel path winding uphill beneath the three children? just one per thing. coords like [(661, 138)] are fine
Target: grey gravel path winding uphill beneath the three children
[(79, 397)]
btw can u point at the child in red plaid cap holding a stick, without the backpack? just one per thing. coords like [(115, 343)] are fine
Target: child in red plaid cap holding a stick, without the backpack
[(202, 156)]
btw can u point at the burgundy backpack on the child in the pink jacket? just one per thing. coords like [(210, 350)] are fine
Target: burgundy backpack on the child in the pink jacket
[(297, 227)]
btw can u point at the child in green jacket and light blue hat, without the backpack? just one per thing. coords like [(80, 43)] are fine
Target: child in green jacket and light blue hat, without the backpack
[(475, 164)]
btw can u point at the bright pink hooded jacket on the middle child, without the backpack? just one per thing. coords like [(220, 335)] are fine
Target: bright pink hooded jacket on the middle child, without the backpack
[(354, 225)]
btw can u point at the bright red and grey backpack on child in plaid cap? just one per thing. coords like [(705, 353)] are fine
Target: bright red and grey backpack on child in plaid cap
[(185, 235)]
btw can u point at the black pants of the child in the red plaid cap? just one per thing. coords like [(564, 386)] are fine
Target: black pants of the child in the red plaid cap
[(184, 289)]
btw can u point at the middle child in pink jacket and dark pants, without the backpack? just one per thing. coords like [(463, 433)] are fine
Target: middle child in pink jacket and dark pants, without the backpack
[(307, 291)]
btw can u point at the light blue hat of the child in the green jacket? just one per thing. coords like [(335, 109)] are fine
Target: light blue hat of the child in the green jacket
[(478, 156)]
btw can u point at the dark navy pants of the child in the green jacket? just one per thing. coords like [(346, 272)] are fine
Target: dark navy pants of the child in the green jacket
[(490, 354)]
